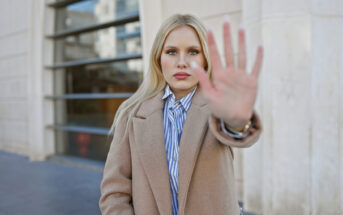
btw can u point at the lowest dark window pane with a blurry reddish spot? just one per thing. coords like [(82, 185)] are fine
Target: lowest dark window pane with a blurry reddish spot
[(83, 144)]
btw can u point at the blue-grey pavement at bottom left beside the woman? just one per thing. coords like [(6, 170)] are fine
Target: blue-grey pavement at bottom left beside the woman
[(46, 188)]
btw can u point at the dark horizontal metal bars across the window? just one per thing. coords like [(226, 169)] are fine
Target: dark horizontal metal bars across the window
[(130, 17)]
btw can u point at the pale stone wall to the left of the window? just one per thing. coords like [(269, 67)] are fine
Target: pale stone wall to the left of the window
[(22, 77)]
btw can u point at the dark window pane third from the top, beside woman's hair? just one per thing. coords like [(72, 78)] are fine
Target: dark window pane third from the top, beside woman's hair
[(119, 77)]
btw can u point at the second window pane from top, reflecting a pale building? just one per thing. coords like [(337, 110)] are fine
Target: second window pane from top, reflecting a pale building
[(106, 43)]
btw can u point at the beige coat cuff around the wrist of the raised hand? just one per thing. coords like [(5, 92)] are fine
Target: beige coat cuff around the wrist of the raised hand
[(254, 133)]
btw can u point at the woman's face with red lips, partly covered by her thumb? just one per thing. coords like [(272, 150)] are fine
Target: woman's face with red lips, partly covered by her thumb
[(181, 47)]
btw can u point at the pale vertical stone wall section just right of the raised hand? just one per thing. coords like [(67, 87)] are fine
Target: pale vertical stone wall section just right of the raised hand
[(286, 105)]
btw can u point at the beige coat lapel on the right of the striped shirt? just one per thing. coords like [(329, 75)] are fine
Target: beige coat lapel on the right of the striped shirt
[(191, 140)]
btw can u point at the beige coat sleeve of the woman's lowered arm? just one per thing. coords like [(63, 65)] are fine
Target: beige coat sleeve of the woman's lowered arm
[(116, 186)]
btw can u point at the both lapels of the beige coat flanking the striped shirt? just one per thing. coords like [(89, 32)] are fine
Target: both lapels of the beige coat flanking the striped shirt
[(149, 137)]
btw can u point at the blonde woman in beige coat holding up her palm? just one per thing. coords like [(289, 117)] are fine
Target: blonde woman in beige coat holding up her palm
[(151, 168)]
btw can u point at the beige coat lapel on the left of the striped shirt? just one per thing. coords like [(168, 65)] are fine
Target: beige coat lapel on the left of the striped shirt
[(149, 138)]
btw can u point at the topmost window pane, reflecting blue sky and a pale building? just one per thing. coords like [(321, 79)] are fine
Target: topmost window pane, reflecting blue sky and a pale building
[(90, 12)]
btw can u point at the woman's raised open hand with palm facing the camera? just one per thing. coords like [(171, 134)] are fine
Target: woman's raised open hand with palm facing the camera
[(232, 92)]
